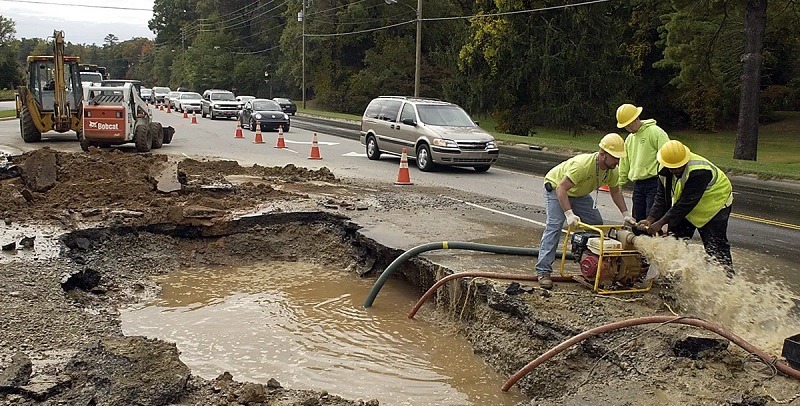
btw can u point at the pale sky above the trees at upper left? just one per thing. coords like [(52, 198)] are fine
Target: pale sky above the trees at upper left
[(83, 21)]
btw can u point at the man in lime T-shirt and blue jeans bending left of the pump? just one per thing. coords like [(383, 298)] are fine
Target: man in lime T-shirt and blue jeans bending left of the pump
[(567, 191)]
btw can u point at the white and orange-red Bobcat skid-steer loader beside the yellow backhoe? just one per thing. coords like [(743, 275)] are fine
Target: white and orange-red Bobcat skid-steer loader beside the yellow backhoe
[(117, 115)]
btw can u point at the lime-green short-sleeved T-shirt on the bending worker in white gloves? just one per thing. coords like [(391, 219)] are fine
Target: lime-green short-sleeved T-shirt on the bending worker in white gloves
[(583, 170)]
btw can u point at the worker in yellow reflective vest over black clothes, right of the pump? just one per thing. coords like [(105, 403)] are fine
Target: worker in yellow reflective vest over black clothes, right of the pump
[(692, 194)]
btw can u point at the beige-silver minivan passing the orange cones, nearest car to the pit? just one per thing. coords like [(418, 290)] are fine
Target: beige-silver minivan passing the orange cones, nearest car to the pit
[(433, 131)]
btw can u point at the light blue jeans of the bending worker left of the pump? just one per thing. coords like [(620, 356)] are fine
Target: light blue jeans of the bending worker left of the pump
[(583, 207)]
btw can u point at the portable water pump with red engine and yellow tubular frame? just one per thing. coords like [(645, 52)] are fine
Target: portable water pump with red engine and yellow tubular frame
[(608, 259)]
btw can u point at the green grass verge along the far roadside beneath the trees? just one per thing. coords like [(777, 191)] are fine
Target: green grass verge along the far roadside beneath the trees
[(778, 143)]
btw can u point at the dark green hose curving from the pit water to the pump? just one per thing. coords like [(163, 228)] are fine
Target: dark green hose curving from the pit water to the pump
[(472, 246)]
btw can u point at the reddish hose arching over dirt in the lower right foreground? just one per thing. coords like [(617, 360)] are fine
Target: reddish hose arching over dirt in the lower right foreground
[(691, 321)]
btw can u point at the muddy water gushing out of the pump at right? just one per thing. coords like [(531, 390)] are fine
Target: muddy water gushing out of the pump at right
[(760, 310)]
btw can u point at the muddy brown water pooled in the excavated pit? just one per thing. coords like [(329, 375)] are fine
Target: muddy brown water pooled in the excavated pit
[(305, 326)]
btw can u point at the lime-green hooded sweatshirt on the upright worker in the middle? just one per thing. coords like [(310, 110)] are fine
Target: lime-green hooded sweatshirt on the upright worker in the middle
[(641, 148)]
